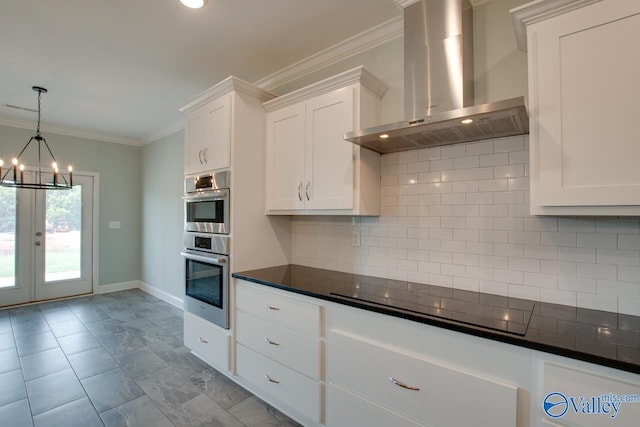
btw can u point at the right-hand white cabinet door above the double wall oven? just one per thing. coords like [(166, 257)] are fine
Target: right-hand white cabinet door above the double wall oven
[(217, 146)]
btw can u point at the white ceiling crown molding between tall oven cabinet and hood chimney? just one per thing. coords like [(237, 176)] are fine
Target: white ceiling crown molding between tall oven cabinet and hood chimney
[(380, 34)]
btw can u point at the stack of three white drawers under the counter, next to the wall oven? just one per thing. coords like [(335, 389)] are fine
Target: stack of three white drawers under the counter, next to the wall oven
[(279, 350)]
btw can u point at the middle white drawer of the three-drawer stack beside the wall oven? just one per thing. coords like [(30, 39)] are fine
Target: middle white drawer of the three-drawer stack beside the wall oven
[(292, 349)]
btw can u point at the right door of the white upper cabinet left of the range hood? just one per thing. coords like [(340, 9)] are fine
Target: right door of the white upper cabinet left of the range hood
[(329, 159)]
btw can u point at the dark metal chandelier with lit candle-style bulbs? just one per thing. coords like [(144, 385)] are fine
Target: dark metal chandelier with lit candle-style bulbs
[(13, 176)]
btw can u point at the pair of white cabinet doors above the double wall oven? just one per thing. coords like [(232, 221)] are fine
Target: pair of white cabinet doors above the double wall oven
[(208, 136)]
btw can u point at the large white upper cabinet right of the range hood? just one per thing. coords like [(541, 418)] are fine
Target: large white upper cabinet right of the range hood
[(584, 63)]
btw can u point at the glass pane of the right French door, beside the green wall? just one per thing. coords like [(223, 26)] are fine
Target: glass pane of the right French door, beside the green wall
[(63, 225)]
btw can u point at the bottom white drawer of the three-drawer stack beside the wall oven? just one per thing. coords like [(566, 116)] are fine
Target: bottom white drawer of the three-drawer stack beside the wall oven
[(287, 386)]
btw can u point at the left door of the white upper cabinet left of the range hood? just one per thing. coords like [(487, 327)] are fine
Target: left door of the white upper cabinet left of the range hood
[(285, 158)]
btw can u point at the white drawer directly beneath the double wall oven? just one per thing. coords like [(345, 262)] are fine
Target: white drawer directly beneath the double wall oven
[(207, 340)]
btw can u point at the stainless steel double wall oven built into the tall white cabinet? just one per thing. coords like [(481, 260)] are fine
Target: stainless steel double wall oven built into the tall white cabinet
[(207, 246)]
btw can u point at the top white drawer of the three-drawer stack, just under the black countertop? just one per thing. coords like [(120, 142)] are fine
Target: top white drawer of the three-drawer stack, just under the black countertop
[(288, 312)]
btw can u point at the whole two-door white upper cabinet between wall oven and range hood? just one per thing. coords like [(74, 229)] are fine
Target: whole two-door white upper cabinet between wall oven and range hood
[(310, 168)]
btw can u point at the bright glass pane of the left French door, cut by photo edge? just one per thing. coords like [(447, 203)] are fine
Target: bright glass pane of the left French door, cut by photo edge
[(8, 207)]
